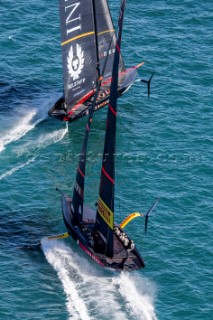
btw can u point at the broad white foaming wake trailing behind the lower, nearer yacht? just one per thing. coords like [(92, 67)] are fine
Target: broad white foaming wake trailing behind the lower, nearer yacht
[(92, 294)]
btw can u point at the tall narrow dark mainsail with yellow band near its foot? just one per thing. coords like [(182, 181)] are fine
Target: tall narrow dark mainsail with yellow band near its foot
[(105, 210)]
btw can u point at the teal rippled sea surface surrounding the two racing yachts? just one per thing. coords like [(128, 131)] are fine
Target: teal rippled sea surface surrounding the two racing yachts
[(164, 150)]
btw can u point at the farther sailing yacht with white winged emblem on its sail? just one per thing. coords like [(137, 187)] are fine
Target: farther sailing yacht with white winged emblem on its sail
[(88, 42)]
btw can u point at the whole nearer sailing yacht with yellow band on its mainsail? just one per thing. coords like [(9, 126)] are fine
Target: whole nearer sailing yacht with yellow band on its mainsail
[(95, 230)]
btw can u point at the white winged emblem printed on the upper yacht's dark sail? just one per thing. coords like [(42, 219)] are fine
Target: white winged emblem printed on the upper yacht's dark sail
[(75, 62)]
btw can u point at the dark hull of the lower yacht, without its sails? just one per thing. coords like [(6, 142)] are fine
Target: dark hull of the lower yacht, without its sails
[(124, 258)]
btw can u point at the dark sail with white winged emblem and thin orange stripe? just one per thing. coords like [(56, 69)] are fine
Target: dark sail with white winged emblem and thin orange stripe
[(78, 48)]
